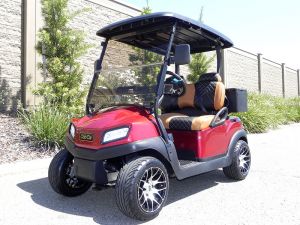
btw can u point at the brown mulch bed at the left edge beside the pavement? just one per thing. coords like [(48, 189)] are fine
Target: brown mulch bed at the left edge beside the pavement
[(16, 143)]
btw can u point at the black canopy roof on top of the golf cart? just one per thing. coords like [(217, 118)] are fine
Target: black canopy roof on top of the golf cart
[(152, 32)]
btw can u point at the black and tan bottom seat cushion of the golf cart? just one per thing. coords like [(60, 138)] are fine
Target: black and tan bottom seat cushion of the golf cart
[(177, 121)]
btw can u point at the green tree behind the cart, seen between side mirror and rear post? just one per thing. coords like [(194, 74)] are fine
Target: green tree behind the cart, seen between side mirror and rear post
[(200, 62)]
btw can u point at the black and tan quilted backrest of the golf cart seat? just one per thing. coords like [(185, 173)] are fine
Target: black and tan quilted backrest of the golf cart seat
[(207, 95)]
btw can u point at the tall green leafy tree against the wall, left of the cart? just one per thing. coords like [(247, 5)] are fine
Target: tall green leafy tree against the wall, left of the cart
[(61, 47)]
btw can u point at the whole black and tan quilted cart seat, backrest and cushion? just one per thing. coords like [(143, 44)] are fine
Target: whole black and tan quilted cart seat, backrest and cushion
[(208, 93)]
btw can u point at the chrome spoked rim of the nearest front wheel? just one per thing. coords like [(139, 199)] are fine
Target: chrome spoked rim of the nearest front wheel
[(152, 189)]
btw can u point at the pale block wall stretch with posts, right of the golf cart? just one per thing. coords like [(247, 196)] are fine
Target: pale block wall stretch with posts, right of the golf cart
[(241, 70)]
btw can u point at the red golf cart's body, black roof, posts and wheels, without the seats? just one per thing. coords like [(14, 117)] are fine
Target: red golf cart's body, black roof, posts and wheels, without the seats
[(174, 37)]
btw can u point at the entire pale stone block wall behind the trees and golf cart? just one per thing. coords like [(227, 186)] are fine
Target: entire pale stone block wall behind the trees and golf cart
[(20, 21)]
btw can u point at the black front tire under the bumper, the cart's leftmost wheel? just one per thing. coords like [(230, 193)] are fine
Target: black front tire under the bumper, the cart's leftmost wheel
[(61, 179)]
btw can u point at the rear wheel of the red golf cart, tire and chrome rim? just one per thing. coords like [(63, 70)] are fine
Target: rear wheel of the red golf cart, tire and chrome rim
[(237, 171)]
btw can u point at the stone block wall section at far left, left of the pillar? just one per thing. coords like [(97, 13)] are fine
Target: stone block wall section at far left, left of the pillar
[(10, 53)]
